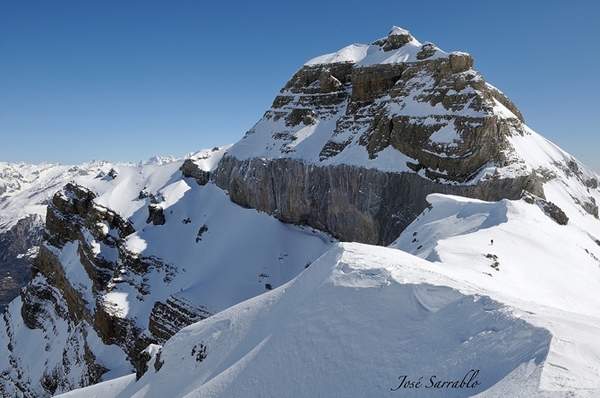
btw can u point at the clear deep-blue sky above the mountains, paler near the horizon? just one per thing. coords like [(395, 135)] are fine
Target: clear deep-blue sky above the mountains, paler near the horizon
[(126, 80)]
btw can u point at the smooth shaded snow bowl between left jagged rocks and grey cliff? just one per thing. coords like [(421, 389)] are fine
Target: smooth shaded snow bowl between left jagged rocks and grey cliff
[(219, 253)]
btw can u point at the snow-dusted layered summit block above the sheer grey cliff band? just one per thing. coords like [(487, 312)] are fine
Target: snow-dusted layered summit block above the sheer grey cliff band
[(350, 107)]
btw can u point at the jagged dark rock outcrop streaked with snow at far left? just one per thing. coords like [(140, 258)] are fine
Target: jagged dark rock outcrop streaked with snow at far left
[(57, 297)]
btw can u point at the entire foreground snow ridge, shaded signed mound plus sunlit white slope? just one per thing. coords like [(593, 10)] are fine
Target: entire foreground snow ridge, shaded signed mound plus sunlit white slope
[(362, 317)]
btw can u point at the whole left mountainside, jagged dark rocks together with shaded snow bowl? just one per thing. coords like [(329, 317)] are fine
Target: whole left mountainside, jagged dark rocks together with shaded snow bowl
[(109, 281)]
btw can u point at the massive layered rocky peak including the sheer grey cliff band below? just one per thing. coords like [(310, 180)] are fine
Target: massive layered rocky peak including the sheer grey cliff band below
[(357, 139)]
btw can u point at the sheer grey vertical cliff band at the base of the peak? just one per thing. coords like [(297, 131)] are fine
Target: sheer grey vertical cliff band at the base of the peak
[(351, 203)]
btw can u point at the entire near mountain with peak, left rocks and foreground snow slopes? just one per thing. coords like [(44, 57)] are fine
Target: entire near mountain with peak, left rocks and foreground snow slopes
[(259, 269)]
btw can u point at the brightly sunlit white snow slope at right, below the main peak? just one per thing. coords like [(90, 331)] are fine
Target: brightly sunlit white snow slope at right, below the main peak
[(515, 251)]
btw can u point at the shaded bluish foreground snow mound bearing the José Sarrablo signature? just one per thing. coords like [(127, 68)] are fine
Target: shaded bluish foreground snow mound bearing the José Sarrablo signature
[(353, 324)]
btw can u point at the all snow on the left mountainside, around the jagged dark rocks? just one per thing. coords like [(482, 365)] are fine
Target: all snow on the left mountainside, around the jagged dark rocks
[(210, 254)]
